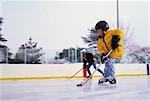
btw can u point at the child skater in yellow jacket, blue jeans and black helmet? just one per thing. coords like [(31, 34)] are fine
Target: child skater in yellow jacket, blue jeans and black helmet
[(109, 40)]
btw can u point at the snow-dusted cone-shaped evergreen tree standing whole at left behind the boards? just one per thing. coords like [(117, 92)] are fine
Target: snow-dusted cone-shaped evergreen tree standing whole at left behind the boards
[(29, 53)]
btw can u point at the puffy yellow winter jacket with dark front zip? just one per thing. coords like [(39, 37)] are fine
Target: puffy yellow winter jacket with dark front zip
[(104, 44)]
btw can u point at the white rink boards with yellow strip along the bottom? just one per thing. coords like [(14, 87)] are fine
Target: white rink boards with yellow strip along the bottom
[(53, 71)]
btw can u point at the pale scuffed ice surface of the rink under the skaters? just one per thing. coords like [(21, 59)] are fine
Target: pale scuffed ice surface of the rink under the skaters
[(126, 89)]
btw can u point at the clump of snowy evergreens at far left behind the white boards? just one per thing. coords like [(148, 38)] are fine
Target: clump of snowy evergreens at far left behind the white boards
[(28, 53)]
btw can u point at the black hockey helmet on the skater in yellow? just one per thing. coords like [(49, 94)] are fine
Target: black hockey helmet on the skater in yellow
[(102, 25)]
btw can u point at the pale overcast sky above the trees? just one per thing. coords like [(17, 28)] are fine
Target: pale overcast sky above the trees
[(59, 24)]
